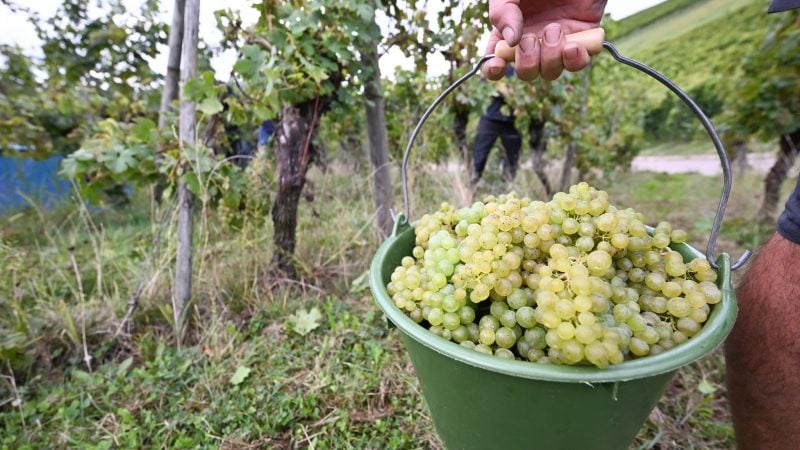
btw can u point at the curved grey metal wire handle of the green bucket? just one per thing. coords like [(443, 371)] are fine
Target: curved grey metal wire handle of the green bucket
[(712, 132)]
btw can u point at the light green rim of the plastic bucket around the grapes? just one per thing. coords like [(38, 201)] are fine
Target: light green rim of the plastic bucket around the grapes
[(716, 328)]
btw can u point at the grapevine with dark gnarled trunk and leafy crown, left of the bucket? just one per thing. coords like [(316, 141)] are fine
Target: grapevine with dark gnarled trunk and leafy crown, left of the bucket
[(295, 62)]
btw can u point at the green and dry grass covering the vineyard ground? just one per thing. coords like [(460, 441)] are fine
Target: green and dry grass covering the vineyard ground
[(248, 376)]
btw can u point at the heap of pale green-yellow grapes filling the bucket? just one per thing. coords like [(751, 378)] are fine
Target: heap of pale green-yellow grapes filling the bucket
[(571, 281)]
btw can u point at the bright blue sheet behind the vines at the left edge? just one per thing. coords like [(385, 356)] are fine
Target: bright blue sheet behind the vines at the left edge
[(38, 180)]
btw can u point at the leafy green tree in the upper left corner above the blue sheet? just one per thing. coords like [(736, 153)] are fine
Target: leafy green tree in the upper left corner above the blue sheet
[(95, 66)]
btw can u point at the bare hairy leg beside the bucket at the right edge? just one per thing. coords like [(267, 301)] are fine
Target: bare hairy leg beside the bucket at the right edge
[(763, 351)]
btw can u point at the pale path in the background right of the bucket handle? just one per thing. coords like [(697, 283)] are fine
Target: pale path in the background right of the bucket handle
[(703, 164)]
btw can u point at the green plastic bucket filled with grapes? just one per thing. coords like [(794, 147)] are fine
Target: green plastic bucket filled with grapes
[(480, 401)]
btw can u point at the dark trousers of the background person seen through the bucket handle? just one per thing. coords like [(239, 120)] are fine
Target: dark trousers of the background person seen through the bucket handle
[(488, 132)]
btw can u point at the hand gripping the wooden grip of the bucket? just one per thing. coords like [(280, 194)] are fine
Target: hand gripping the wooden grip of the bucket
[(539, 27)]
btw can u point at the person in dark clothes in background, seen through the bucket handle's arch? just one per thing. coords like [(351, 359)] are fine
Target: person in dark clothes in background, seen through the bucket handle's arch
[(497, 122)]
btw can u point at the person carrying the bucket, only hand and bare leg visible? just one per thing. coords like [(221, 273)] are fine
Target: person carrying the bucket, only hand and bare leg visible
[(763, 351)]
